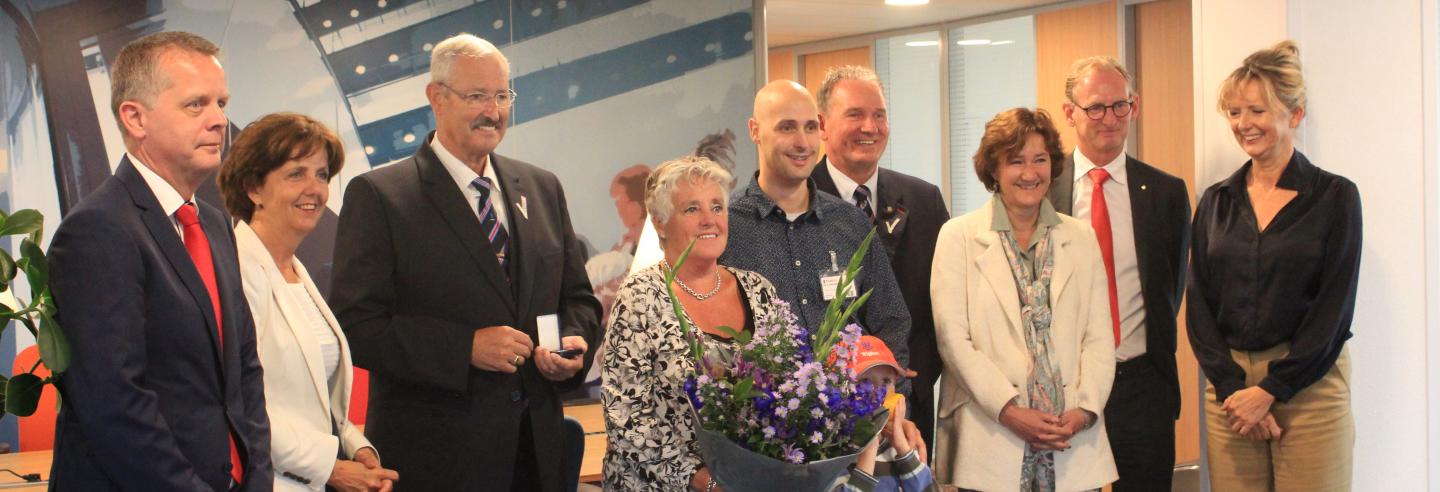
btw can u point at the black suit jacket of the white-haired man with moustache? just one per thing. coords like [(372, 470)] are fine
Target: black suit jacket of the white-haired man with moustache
[(415, 278)]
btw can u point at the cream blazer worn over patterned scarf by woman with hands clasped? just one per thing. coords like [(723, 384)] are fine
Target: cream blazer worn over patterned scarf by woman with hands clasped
[(987, 362)]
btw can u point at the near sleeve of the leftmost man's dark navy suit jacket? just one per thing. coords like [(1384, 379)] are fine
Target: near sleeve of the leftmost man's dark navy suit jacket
[(96, 277)]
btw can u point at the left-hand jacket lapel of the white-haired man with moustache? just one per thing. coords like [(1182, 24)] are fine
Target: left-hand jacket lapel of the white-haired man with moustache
[(454, 209)]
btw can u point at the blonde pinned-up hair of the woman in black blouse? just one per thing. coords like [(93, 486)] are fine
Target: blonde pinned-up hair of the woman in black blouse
[(1278, 70)]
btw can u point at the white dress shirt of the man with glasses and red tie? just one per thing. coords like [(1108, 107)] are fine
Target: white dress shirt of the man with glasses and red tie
[(1122, 237)]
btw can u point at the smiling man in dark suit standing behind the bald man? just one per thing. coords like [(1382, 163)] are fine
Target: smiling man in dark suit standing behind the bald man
[(906, 211)]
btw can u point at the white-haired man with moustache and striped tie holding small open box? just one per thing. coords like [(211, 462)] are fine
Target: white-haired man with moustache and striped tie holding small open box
[(444, 263)]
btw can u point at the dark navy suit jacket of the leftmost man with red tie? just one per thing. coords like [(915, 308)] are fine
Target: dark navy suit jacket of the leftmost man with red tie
[(150, 395)]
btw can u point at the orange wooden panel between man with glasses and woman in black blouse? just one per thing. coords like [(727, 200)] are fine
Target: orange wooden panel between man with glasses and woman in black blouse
[(1167, 140)]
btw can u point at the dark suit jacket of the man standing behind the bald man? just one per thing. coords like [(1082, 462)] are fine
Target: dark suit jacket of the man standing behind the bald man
[(909, 215)]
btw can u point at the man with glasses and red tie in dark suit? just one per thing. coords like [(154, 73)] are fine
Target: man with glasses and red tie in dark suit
[(1141, 217)]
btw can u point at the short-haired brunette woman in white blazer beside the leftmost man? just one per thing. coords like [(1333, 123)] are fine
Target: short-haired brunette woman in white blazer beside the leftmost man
[(276, 181)]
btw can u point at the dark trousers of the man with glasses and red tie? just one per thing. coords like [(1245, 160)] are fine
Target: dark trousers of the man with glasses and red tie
[(1141, 422)]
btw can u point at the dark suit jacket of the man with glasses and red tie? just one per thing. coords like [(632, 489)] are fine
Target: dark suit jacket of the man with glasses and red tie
[(1160, 205)]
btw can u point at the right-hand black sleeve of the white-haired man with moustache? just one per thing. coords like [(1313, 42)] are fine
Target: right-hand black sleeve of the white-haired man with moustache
[(580, 309)]
